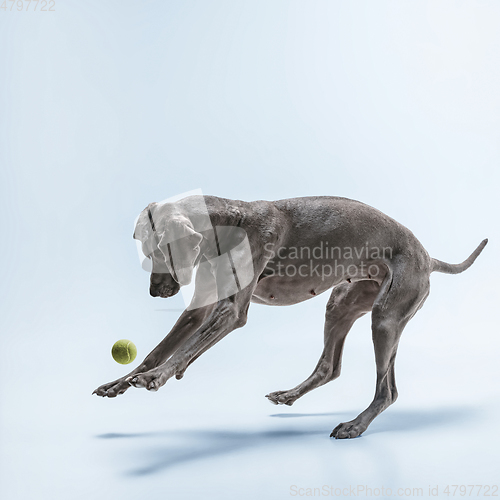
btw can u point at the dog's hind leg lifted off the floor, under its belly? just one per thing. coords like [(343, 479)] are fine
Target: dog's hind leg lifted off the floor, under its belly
[(347, 303)]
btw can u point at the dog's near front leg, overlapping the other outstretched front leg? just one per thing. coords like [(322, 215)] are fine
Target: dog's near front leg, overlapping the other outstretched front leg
[(226, 316)]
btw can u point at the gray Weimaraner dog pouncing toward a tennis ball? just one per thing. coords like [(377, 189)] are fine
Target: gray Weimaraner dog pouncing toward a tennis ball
[(282, 253)]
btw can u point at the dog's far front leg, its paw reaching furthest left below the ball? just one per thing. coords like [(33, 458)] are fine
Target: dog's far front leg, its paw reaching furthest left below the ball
[(186, 325)]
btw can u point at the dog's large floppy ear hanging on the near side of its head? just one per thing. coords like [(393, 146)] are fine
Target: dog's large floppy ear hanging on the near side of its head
[(180, 245)]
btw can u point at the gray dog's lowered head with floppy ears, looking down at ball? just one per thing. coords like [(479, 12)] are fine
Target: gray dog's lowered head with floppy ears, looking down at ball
[(169, 240)]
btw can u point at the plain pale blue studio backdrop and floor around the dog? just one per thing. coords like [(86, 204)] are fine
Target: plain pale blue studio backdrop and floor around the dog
[(107, 106)]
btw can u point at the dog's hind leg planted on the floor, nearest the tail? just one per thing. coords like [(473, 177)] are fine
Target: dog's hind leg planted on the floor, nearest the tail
[(401, 296)]
